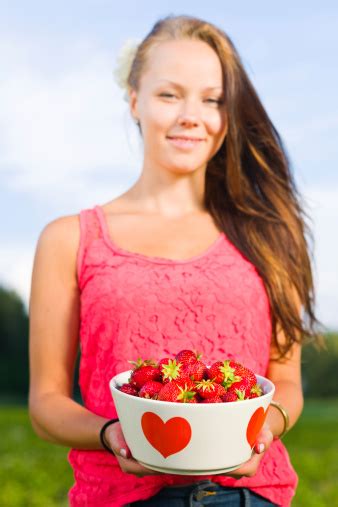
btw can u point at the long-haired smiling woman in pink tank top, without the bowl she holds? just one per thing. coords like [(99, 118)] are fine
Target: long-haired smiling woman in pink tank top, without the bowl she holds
[(205, 251)]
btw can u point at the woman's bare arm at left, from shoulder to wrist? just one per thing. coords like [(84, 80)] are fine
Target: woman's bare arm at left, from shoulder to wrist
[(53, 341)]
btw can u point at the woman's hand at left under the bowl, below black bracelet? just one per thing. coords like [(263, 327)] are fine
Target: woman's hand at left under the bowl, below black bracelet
[(115, 439)]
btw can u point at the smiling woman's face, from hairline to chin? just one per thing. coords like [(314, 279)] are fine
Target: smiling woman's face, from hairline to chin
[(181, 94)]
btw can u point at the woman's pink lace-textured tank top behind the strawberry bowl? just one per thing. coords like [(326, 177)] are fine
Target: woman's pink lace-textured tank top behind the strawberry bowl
[(136, 305)]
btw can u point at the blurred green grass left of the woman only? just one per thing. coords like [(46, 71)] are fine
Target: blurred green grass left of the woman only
[(33, 473)]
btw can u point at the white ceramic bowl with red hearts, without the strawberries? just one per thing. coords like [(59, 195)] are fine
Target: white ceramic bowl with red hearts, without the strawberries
[(190, 439)]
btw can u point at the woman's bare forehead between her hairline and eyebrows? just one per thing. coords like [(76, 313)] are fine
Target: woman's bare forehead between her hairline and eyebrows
[(186, 59)]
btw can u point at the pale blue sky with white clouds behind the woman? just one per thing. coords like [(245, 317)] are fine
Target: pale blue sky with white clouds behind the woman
[(67, 141)]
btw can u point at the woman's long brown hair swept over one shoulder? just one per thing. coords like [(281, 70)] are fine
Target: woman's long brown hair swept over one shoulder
[(249, 188)]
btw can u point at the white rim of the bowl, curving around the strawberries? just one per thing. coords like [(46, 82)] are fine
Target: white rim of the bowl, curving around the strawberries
[(112, 385)]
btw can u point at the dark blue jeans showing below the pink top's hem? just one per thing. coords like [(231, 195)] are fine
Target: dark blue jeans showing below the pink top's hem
[(204, 493)]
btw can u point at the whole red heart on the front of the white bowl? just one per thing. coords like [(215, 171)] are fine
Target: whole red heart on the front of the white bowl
[(169, 437)]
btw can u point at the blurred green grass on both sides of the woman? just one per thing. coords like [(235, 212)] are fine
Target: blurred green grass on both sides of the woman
[(34, 473)]
